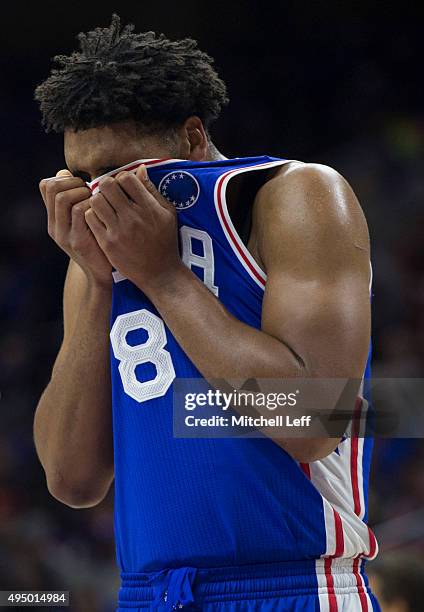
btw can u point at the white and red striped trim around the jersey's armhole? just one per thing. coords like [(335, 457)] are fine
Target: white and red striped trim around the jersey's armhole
[(240, 249)]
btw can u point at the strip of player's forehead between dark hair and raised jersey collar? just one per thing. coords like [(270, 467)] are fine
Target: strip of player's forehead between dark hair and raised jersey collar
[(109, 146)]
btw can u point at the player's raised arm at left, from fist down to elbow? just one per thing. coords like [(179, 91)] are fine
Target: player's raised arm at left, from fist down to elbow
[(72, 426)]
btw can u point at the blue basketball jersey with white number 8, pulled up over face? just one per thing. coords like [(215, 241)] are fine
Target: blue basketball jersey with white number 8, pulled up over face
[(215, 502)]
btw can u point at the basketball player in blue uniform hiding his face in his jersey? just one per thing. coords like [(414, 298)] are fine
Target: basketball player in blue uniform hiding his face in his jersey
[(203, 266)]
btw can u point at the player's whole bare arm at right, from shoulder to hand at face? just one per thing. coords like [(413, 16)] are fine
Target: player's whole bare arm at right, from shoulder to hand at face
[(312, 239)]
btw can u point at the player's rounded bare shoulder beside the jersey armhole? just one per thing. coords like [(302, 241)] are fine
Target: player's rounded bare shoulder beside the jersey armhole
[(308, 215)]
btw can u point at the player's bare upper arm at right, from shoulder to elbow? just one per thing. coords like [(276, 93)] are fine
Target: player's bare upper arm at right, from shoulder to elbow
[(313, 242)]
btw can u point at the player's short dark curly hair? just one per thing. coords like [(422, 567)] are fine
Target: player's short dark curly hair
[(118, 75)]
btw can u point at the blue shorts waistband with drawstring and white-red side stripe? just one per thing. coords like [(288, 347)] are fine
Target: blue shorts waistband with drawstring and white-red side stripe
[(175, 588)]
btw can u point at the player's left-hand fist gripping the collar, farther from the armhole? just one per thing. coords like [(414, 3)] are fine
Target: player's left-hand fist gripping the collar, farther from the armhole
[(67, 199)]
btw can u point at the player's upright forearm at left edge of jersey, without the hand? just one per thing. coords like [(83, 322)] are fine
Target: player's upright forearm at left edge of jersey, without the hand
[(72, 428)]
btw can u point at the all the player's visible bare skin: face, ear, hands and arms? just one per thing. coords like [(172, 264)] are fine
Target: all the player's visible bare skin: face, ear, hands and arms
[(308, 233)]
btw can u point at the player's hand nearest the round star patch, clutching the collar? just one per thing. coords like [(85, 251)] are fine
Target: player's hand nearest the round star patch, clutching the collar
[(136, 228)]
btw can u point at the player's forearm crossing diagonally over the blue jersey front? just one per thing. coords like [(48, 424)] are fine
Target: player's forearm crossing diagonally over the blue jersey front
[(219, 345)]
